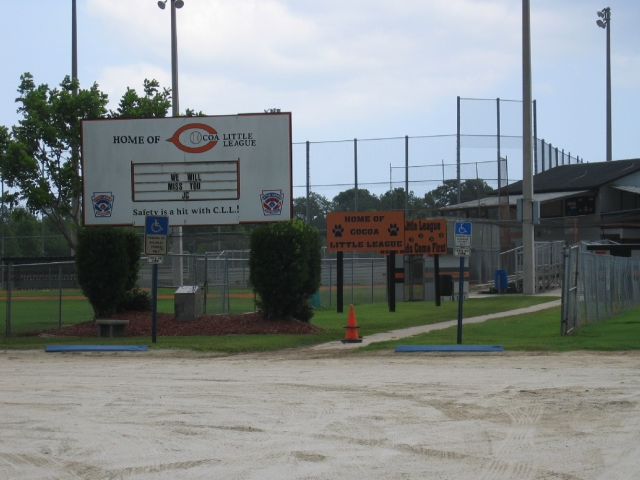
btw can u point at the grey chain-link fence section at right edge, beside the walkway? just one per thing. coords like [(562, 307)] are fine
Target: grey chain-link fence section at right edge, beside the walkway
[(597, 287)]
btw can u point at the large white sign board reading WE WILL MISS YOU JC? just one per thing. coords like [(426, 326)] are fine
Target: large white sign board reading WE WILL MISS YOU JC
[(195, 170)]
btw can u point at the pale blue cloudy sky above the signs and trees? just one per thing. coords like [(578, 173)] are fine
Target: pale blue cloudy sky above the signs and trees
[(348, 69)]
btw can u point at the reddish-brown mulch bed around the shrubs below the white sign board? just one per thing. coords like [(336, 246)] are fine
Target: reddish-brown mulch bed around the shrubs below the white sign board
[(167, 326)]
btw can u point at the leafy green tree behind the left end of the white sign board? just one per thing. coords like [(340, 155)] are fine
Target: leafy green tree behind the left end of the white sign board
[(39, 159)]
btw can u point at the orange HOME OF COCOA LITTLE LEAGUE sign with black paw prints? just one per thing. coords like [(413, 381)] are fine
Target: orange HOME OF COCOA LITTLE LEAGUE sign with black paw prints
[(364, 231)]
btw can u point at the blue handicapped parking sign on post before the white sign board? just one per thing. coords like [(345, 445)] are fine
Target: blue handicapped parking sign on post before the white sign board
[(156, 230)]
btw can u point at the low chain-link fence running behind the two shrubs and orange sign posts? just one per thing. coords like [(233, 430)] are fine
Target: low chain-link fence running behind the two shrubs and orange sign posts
[(46, 296)]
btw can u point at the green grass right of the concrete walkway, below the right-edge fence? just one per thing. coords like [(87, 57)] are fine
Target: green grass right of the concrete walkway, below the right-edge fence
[(537, 331)]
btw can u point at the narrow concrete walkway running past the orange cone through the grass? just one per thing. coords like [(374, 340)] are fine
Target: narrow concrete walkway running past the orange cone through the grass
[(409, 332)]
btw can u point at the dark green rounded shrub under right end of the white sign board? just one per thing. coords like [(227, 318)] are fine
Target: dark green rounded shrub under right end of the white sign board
[(285, 268)]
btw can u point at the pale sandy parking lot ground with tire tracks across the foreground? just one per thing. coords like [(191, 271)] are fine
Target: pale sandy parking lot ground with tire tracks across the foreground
[(319, 415)]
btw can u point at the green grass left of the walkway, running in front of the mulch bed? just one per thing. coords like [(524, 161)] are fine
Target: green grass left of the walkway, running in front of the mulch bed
[(372, 318)]
